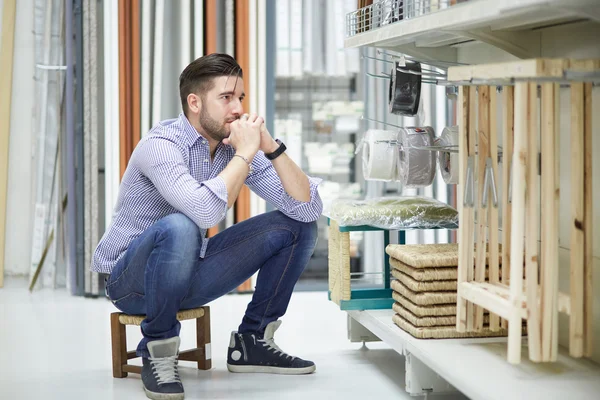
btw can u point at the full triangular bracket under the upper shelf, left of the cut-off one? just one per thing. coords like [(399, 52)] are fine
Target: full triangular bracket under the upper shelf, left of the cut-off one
[(523, 44)]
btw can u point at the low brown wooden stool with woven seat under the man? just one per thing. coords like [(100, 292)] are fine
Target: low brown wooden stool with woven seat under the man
[(201, 354)]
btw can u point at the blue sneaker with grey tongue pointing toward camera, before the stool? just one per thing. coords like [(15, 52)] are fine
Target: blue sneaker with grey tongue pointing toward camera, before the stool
[(160, 375)]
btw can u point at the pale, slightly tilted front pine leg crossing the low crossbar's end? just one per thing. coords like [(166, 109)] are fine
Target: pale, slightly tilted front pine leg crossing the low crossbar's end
[(518, 220)]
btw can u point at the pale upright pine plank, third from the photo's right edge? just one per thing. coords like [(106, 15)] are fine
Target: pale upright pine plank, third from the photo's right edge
[(549, 224)]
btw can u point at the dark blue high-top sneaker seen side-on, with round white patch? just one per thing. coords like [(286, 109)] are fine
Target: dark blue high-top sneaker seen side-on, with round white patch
[(251, 353)]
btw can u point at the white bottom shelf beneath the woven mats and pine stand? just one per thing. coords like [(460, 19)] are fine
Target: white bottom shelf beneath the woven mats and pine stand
[(478, 367)]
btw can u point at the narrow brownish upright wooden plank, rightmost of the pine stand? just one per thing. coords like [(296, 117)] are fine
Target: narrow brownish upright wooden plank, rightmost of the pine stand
[(588, 300)]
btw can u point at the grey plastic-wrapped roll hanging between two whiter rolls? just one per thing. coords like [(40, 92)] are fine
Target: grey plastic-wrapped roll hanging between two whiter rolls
[(416, 167)]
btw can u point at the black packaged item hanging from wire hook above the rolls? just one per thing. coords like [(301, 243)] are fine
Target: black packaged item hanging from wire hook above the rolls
[(405, 89)]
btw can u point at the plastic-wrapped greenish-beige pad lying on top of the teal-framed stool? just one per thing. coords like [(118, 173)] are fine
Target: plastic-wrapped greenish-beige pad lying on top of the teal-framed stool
[(395, 213)]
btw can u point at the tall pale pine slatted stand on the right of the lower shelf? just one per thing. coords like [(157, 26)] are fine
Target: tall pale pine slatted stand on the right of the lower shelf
[(534, 298)]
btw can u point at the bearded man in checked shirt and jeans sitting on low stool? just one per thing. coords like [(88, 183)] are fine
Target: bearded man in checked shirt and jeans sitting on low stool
[(180, 181)]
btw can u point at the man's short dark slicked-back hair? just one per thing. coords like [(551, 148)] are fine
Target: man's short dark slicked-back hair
[(198, 76)]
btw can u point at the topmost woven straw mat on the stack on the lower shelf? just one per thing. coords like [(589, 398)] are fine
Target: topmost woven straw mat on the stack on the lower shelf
[(428, 255)]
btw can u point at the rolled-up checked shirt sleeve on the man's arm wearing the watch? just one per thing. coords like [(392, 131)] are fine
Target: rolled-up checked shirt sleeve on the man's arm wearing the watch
[(265, 182)]
